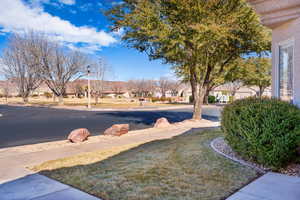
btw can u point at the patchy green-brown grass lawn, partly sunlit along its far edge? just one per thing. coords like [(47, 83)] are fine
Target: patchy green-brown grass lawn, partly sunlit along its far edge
[(184, 167)]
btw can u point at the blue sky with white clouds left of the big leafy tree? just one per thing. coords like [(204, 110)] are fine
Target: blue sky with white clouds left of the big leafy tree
[(79, 24)]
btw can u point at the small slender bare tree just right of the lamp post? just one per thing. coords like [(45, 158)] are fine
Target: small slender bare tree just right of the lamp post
[(99, 72)]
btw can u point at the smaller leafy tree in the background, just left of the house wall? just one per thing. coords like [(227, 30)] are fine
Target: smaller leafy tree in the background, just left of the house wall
[(257, 72)]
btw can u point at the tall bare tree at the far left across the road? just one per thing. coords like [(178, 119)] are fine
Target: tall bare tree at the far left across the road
[(21, 62)]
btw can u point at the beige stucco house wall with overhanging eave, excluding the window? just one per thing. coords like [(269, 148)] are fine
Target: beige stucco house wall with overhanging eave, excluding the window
[(283, 17)]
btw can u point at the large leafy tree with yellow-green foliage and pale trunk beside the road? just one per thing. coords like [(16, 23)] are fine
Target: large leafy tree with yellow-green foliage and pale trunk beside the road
[(199, 37)]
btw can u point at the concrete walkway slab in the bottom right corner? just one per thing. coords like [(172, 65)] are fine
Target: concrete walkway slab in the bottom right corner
[(271, 186)]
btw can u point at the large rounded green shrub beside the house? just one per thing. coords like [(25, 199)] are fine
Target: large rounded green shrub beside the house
[(264, 130)]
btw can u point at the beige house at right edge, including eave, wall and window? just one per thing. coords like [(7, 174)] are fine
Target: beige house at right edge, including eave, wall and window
[(283, 17)]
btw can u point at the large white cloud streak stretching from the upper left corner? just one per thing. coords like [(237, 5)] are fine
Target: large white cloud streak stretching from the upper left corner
[(15, 16)]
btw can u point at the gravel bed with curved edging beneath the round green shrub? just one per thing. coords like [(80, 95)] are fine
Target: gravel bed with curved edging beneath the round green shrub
[(221, 146)]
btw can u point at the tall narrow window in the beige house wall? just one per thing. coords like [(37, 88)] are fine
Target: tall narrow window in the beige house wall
[(286, 62)]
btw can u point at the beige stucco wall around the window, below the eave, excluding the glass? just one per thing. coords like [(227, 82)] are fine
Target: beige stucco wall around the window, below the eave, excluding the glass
[(286, 33)]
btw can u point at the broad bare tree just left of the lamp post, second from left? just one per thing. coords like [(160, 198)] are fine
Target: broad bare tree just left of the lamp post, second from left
[(60, 66)]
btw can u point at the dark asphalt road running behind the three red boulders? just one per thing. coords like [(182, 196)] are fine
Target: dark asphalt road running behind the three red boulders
[(30, 125)]
